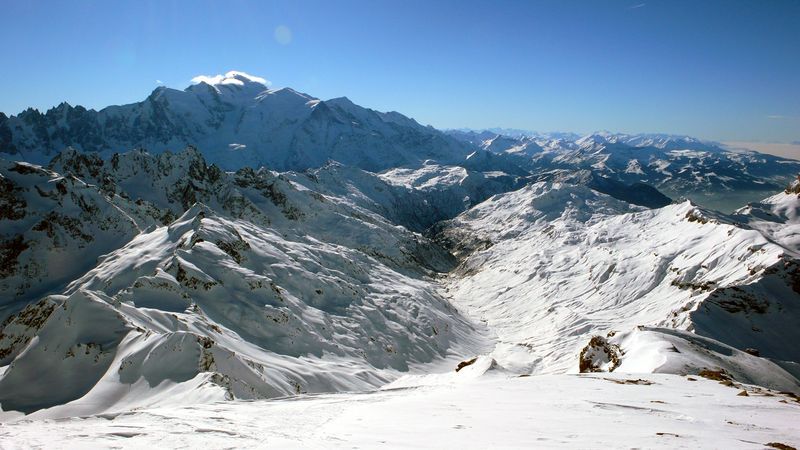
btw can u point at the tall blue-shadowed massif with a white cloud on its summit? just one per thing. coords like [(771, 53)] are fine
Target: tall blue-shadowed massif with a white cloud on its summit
[(237, 121)]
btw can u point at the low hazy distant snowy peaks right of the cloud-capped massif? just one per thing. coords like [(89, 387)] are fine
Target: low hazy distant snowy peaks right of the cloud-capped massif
[(678, 166)]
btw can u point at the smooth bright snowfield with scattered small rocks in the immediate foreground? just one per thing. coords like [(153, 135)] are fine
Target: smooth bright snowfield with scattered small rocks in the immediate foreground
[(493, 411)]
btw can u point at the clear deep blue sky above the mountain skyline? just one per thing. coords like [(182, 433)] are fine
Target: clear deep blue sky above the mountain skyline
[(722, 70)]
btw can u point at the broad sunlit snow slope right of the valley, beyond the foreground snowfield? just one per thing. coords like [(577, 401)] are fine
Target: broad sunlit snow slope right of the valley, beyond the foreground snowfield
[(550, 265)]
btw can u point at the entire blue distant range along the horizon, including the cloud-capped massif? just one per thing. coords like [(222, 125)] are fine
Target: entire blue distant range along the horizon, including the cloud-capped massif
[(236, 121)]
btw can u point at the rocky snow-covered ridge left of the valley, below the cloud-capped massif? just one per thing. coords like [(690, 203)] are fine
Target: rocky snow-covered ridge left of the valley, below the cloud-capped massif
[(260, 287)]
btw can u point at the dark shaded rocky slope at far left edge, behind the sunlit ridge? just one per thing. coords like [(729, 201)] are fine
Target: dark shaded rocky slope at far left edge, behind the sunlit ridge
[(52, 230)]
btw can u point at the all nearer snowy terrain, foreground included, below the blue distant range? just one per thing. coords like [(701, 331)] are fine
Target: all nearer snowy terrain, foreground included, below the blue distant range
[(213, 288)]
